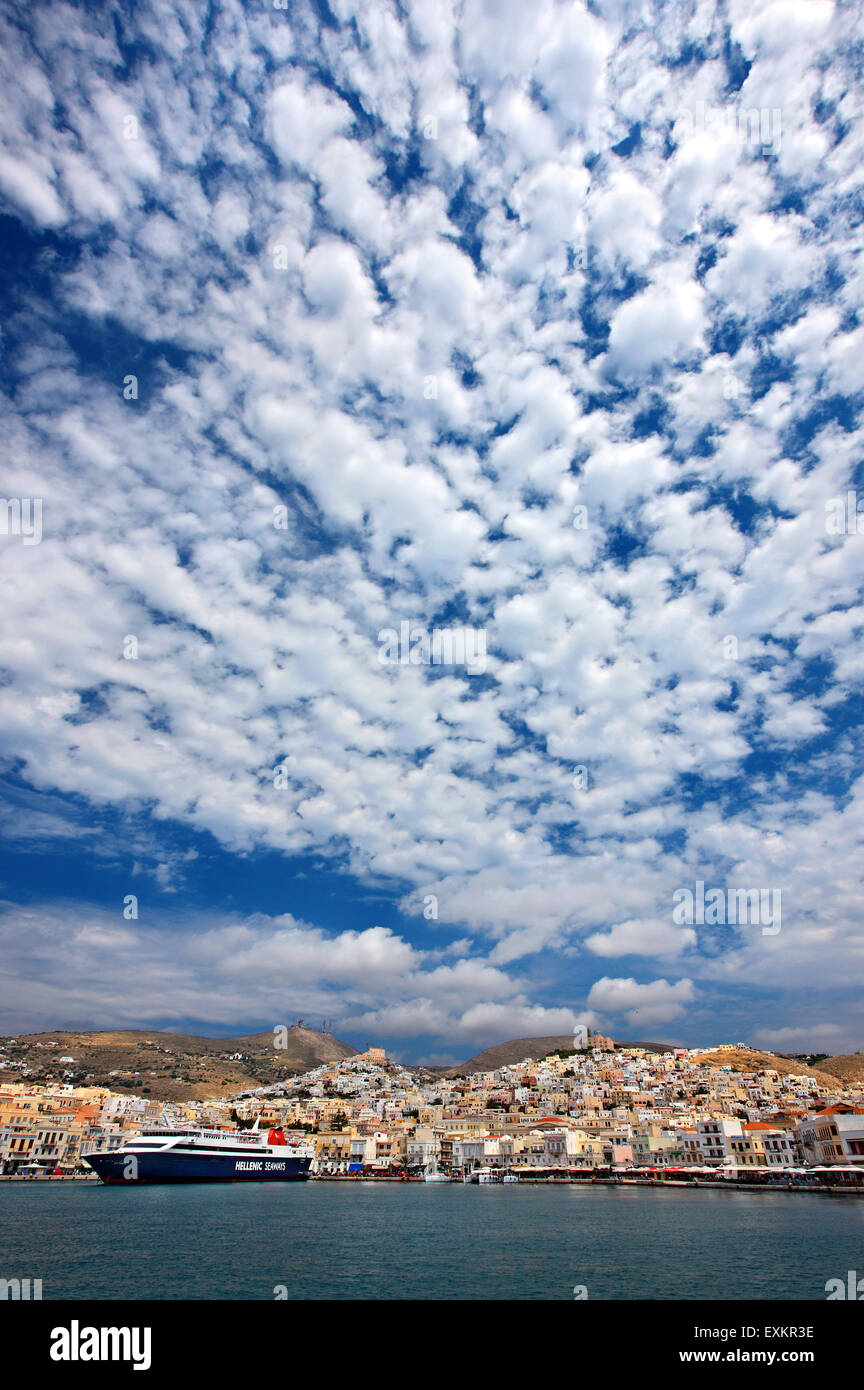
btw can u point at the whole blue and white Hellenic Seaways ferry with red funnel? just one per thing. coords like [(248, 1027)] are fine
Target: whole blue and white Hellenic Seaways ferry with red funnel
[(203, 1156)]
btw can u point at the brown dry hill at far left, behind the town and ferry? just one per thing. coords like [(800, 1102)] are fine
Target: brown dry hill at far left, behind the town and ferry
[(167, 1067)]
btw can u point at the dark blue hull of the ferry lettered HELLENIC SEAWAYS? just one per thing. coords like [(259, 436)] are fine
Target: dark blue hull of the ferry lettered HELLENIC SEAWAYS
[(124, 1168)]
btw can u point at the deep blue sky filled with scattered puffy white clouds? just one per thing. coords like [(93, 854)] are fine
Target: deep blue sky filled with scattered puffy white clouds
[(540, 320)]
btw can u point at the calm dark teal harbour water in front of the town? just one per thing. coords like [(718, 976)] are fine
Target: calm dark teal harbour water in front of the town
[(373, 1241)]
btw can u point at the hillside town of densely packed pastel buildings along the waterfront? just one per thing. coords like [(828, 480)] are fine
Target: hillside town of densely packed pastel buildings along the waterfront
[(601, 1110)]
